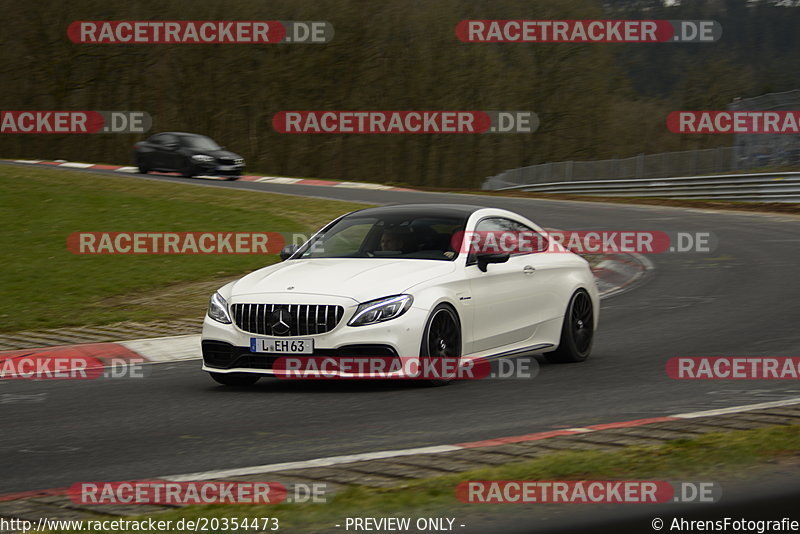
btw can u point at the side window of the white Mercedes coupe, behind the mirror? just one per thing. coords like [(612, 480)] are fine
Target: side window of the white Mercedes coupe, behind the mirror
[(498, 235)]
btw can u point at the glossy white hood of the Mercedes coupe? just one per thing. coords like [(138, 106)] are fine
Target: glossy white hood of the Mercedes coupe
[(360, 279)]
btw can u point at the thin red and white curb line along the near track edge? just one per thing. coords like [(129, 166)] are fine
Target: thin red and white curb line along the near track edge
[(382, 455)]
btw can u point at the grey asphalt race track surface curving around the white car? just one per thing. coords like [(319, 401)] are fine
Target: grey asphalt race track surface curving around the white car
[(739, 300)]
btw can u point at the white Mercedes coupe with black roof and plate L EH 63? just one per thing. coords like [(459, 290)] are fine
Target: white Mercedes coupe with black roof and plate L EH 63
[(420, 281)]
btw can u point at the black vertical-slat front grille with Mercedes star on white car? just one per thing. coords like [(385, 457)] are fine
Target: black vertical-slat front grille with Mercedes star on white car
[(287, 319)]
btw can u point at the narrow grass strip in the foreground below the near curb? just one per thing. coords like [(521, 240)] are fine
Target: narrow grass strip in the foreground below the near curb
[(723, 456)]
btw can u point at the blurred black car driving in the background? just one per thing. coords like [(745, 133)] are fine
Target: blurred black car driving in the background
[(188, 154)]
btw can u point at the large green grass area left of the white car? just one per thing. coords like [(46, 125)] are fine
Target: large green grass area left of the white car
[(46, 286)]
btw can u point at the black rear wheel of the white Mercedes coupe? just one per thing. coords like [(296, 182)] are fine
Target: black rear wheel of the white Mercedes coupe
[(577, 331)]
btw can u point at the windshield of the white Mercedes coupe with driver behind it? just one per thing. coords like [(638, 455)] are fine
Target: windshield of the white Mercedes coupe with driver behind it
[(428, 237)]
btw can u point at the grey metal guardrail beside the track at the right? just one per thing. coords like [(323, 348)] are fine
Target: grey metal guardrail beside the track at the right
[(760, 187)]
